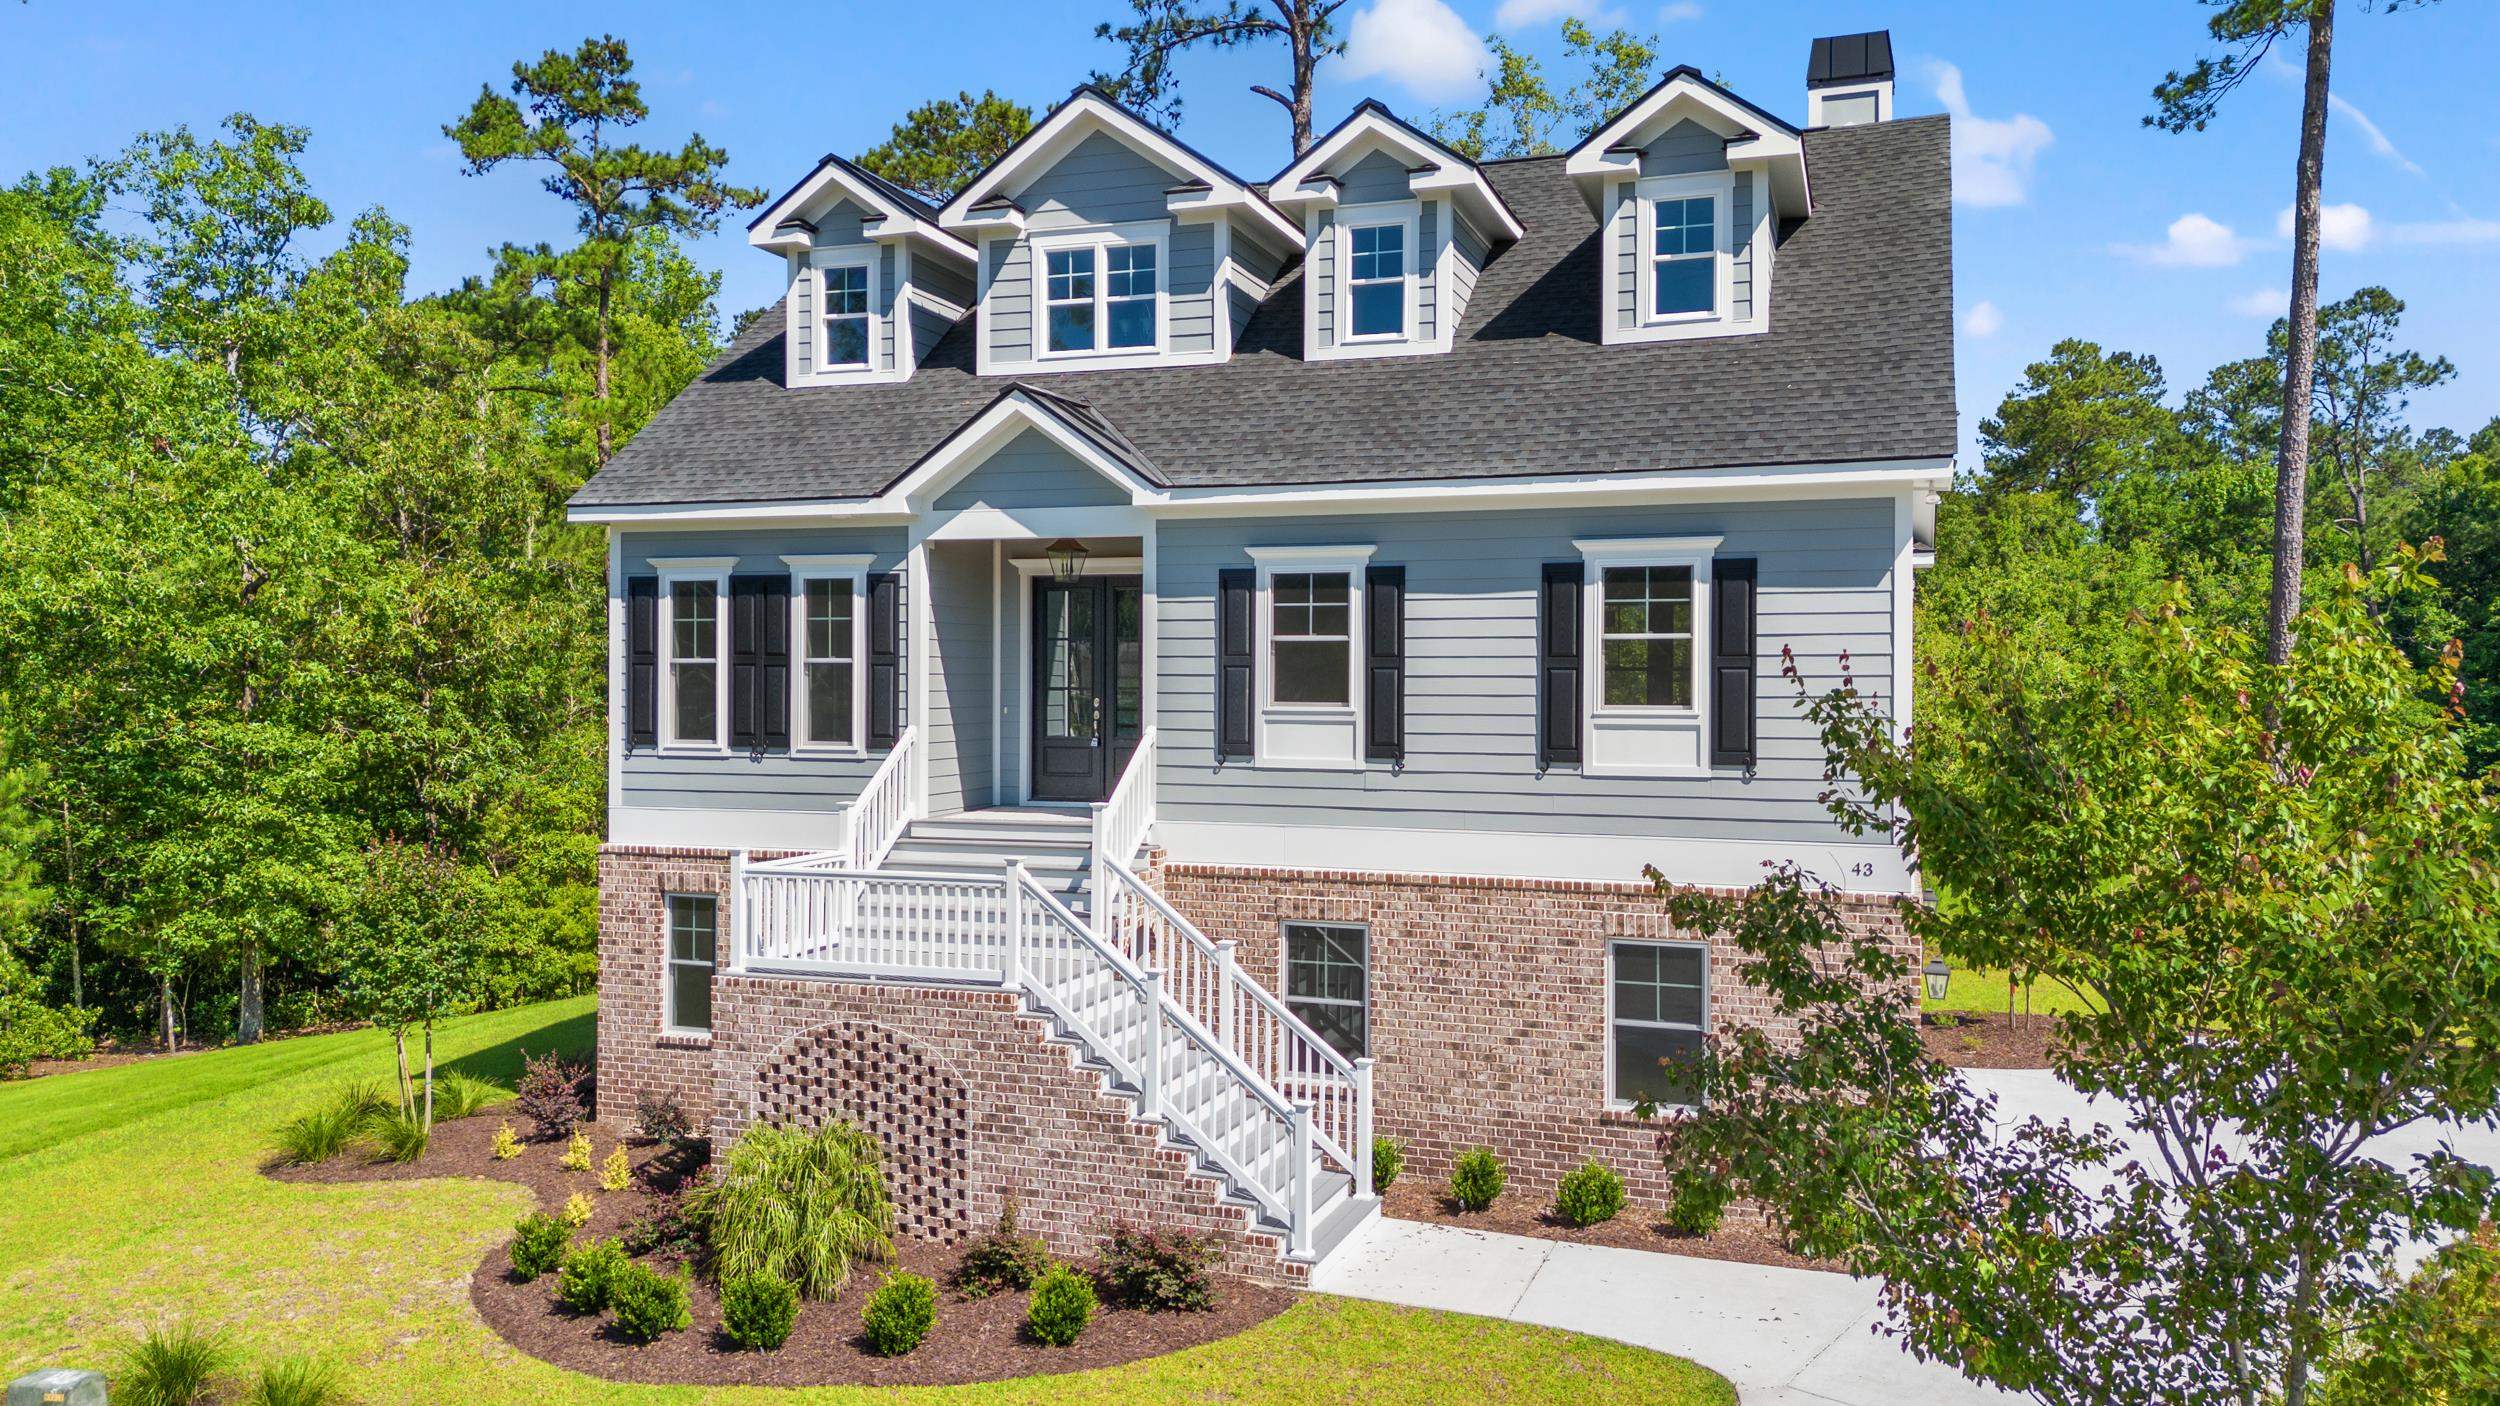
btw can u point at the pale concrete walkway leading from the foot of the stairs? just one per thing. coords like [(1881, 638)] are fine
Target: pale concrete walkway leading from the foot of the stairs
[(1784, 1337)]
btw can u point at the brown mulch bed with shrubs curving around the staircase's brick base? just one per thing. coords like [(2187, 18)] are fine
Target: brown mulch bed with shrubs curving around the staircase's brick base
[(971, 1342)]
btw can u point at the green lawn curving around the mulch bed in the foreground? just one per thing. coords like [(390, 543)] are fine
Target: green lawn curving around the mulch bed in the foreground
[(136, 1200)]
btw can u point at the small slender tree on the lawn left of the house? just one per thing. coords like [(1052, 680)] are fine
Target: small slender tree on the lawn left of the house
[(409, 949)]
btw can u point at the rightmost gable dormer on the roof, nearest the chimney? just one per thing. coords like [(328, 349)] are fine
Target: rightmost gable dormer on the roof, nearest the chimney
[(1689, 186)]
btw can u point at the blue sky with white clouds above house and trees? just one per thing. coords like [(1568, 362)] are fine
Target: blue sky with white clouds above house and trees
[(2074, 219)]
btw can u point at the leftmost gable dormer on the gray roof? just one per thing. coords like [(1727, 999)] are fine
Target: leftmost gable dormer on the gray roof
[(874, 281)]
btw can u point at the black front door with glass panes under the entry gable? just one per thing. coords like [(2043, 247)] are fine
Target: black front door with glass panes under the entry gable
[(1086, 684)]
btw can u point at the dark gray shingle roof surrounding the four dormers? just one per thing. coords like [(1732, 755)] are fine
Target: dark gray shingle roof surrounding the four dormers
[(1859, 367)]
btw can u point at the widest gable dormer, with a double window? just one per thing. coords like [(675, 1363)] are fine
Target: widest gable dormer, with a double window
[(1109, 244)]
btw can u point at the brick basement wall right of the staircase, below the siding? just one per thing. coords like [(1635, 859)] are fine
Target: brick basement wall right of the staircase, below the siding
[(1489, 1002)]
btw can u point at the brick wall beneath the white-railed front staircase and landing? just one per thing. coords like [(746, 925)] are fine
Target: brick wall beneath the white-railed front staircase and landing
[(1034, 1125)]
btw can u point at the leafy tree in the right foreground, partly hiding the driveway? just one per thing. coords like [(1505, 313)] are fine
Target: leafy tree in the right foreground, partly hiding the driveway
[(2276, 892)]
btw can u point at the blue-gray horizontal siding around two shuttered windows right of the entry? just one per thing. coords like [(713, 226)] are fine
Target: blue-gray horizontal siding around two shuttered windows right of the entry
[(1471, 672)]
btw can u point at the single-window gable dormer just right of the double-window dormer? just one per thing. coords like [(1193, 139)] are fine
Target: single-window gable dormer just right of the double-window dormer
[(1396, 226)]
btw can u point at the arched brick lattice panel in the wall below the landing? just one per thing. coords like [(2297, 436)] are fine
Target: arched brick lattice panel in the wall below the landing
[(899, 1095)]
